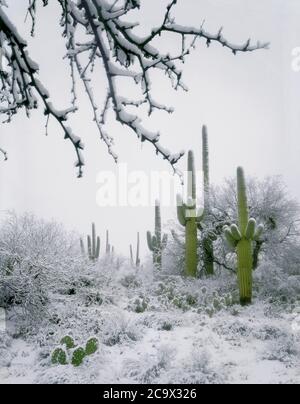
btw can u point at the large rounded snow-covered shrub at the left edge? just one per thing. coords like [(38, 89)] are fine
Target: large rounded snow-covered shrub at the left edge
[(37, 260)]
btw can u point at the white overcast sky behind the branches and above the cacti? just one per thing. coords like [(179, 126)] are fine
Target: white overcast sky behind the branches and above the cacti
[(250, 103)]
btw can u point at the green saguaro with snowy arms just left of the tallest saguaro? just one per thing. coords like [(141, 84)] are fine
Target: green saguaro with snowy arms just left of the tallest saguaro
[(190, 217)]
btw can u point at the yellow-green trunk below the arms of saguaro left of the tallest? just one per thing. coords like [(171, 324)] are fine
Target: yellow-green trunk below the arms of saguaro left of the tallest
[(191, 255)]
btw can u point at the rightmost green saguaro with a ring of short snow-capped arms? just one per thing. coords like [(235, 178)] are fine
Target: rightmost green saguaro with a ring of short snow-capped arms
[(241, 238)]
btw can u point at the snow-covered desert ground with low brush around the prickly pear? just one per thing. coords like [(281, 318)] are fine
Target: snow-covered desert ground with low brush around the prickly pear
[(159, 329)]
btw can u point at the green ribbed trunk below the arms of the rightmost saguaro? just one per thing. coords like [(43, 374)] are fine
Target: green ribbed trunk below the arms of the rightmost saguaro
[(245, 265)]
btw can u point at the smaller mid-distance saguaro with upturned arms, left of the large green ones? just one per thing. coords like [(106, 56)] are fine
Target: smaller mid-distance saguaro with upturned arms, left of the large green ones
[(158, 242)]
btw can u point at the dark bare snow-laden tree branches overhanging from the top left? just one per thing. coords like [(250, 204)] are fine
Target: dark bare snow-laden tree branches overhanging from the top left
[(112, 43)]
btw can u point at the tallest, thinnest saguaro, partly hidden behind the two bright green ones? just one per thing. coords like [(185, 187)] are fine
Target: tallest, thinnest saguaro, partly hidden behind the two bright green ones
[(208, 247)]
